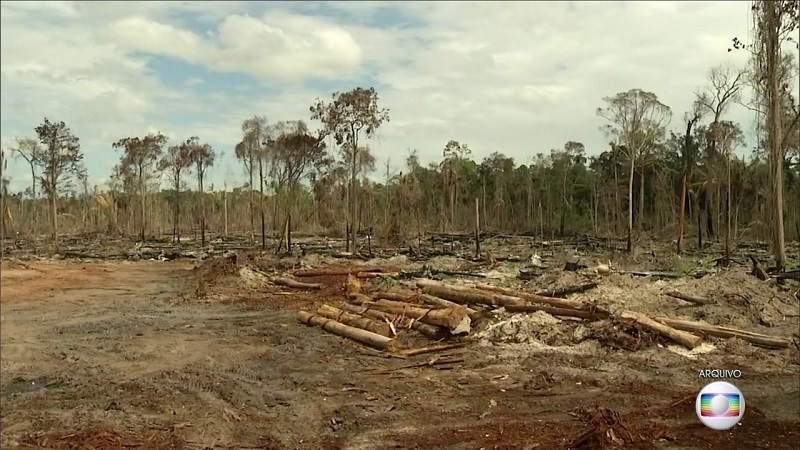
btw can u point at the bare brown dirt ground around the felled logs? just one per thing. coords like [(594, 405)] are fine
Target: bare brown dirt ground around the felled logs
[(142, 354)]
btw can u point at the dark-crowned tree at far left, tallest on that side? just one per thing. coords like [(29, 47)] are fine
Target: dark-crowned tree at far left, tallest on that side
[(61, 159)]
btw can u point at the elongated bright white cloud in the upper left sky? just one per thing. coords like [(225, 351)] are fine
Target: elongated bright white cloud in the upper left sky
[(278, 45)]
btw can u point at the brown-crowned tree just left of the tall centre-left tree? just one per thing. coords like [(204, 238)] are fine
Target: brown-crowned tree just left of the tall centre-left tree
[(295, 153)]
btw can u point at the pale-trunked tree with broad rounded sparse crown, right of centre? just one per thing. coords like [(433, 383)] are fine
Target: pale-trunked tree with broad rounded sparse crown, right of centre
[(639, 119)]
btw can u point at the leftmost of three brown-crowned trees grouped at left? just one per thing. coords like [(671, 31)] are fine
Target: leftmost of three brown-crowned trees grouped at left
[(138, 159)]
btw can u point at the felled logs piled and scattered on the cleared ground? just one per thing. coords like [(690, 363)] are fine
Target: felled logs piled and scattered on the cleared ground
[(439, 311)]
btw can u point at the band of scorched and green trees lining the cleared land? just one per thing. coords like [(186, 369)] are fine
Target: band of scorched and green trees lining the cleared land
[(686, 180)]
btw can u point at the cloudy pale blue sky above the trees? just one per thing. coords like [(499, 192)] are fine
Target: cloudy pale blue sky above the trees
[(519, 78)]
